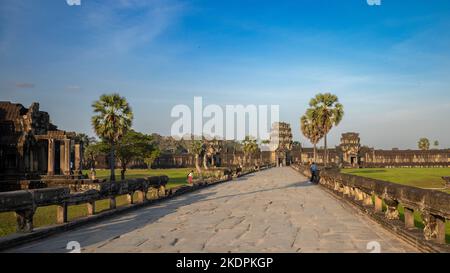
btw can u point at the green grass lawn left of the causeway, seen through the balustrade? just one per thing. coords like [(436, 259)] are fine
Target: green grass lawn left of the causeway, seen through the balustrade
[(47, 215)]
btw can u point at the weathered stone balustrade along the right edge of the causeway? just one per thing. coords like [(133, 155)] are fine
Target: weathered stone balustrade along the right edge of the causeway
[(384, 198)]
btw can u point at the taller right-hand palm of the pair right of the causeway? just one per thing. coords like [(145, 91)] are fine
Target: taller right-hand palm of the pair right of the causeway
[(328, 112)]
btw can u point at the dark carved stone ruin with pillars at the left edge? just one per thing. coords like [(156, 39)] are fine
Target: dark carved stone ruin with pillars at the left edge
[(32, 148)]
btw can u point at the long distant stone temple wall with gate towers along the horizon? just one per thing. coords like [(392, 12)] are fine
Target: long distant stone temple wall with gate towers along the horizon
[(349, 154)]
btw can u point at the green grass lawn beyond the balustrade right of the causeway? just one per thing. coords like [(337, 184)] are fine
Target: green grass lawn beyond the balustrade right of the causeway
[(417, 177)]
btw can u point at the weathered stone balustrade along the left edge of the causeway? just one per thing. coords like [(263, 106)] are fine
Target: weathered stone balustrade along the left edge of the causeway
[(25, 202)]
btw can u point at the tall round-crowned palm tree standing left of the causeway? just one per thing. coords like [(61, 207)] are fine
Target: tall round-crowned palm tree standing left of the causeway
[(113, 117)]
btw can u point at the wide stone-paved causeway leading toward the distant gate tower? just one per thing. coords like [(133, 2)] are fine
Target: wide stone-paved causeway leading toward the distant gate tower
[(275, 210)]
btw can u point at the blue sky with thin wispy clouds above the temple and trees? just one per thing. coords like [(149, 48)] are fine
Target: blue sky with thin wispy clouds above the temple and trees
[(388, 64)]
